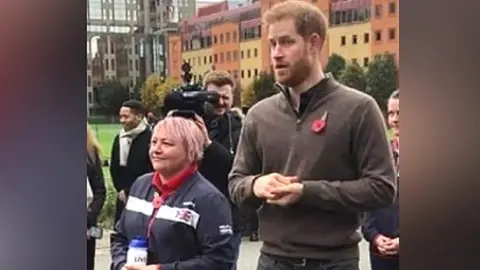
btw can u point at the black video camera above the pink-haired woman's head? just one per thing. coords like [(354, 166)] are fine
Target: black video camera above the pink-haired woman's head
[(190, 99)]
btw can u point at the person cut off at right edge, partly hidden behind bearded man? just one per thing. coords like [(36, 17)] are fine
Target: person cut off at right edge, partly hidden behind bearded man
[(381, 227)]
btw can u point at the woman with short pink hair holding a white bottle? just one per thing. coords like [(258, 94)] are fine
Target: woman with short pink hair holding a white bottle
[(186, 220)]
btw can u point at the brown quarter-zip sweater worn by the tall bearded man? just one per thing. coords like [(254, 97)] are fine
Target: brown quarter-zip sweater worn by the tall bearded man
[(346, 169)]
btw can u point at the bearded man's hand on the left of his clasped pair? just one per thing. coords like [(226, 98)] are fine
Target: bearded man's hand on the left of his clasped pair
[(265, 184)]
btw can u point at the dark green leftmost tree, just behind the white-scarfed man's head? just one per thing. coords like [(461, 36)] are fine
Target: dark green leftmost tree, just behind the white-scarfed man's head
[(109, 97)]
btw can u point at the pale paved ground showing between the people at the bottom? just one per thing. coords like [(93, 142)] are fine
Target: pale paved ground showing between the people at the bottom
[(248, 256)]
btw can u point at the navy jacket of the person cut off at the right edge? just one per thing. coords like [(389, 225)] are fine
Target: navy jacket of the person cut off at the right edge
[(383, 221)]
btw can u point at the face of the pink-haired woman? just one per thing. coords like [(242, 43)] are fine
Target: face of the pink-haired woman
[(167, 152)]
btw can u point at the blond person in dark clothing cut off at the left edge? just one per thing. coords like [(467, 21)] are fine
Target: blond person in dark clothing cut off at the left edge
[(97, 186)]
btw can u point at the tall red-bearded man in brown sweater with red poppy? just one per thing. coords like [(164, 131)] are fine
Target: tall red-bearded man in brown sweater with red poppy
[(313, 157)]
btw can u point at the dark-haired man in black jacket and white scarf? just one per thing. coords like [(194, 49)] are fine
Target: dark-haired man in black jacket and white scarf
[(129, 157)]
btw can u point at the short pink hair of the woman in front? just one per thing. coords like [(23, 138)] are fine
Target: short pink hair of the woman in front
[(185, 131)]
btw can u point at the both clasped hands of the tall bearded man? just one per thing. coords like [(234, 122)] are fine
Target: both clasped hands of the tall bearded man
[(278, 189)]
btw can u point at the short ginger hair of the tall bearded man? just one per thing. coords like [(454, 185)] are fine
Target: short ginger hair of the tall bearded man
[(307, 17)]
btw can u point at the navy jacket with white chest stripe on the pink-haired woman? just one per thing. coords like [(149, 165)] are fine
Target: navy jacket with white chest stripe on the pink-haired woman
[(191, 231)]
